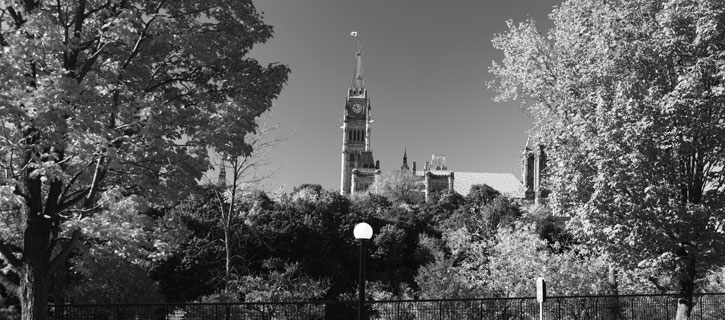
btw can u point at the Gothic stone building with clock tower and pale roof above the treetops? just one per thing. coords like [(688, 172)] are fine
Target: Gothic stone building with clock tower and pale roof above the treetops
[(359, 170)]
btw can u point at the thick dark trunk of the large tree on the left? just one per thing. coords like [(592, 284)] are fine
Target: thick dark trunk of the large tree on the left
[(33, 274)]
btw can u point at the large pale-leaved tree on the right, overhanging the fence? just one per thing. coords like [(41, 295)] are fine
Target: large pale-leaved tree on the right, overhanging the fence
[(628, 96)]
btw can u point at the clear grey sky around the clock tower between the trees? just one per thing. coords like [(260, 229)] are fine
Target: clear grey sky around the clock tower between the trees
[(425, 66)]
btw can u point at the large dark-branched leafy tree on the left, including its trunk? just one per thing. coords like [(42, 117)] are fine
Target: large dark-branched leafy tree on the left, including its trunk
[(117, 93)]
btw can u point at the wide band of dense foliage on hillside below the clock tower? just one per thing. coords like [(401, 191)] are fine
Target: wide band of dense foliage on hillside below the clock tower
[(300, 246)]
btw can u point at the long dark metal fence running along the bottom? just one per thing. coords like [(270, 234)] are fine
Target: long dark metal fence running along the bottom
[(707, 307)]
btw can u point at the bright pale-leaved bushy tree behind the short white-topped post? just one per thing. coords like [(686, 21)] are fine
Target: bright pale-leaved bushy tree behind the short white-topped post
[(518, 256)]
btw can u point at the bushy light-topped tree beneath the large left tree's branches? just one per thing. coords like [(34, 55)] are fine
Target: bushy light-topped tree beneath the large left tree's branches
[(121, 241)]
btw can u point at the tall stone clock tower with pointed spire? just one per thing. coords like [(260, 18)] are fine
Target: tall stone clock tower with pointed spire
[(358, 167)]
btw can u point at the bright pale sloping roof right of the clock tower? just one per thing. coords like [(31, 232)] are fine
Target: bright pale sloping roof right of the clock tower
[(506, 183)]
